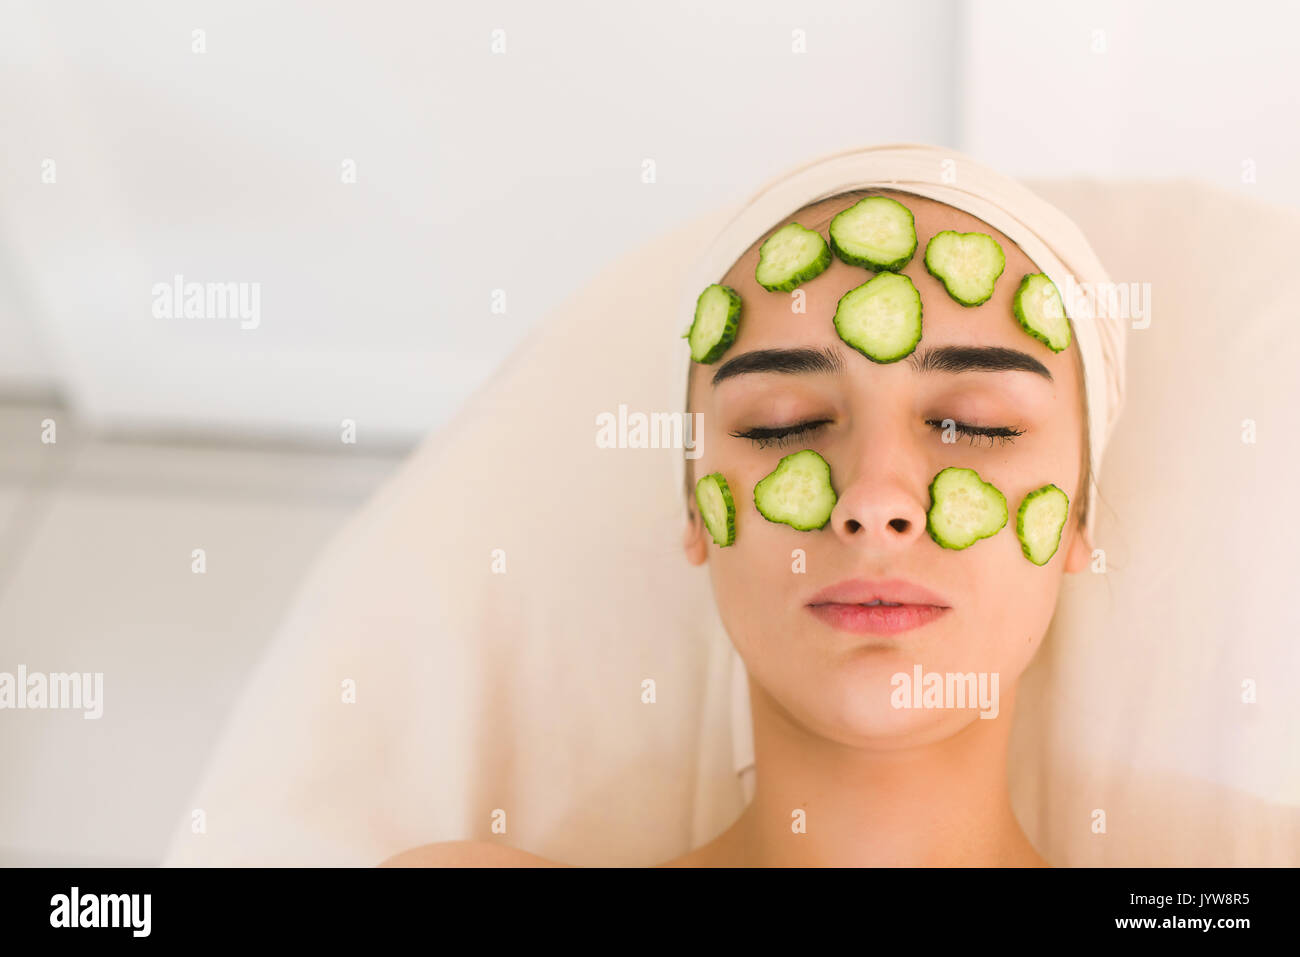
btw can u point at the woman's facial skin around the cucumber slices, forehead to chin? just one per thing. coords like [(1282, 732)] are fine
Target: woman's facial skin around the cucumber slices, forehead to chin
[(883, 454)]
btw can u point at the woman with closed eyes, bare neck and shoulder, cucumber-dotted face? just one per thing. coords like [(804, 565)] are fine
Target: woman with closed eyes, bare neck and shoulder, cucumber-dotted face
[(852, 768)]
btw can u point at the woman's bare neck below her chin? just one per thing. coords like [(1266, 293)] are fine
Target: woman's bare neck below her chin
[(939, 804)]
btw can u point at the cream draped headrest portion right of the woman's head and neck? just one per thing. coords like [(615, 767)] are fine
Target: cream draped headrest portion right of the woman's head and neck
[(1134, 705)]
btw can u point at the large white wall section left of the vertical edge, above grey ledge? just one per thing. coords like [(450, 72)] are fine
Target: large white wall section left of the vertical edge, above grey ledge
[(475, 172)]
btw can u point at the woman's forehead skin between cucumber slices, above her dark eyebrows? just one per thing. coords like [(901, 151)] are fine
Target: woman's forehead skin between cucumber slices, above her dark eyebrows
[(769, 321)]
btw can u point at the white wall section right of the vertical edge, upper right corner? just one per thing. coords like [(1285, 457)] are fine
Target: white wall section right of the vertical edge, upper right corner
[(1121, 89)]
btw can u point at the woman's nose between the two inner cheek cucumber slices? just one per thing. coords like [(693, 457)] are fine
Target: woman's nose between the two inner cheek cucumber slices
[(883, 504)]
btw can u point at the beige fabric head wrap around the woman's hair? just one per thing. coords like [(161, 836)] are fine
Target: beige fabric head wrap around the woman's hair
[(1047, 237)]
